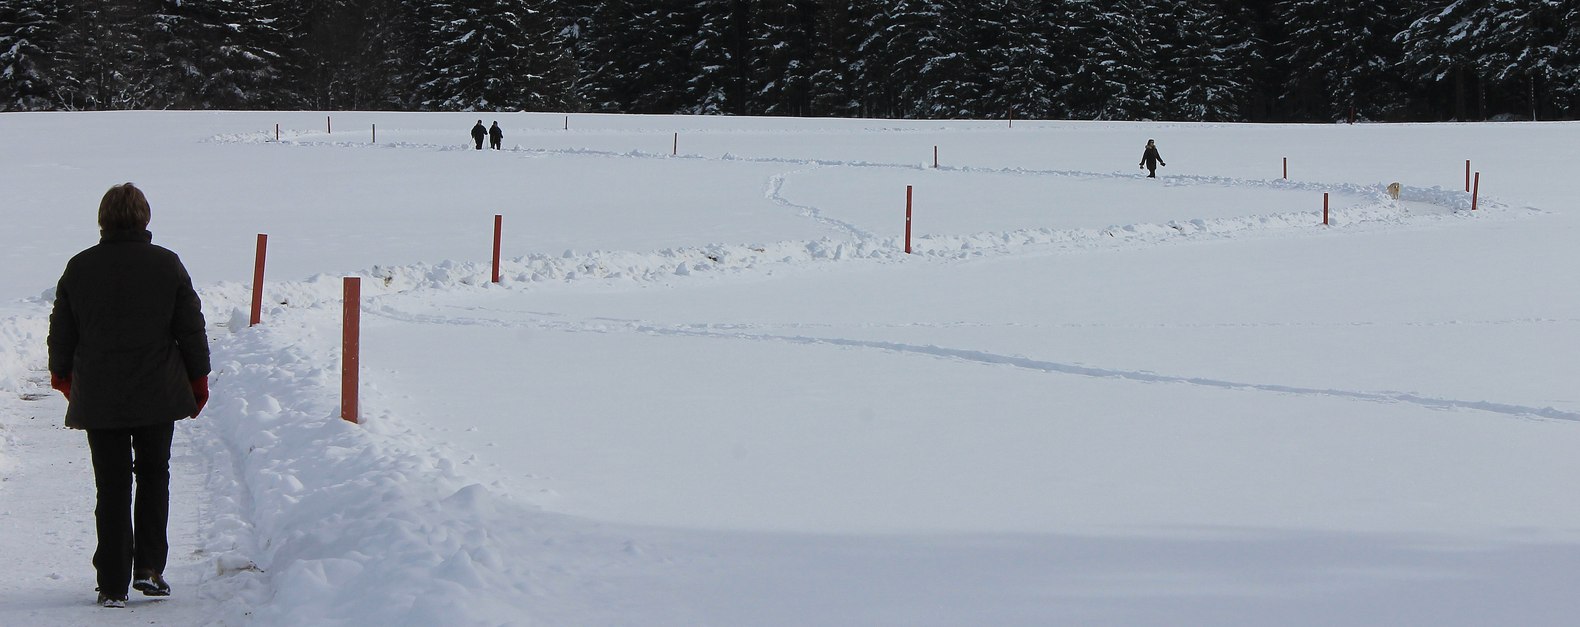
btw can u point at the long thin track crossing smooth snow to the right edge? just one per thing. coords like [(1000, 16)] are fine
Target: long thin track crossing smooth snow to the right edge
[(998, 359)]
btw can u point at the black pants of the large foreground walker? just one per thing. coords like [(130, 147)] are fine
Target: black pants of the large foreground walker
[(132, 536)]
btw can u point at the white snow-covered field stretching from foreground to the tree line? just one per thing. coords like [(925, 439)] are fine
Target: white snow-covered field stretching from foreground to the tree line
[(710, 389)]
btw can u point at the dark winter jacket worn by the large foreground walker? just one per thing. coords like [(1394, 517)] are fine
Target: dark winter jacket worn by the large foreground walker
[(129, 331)]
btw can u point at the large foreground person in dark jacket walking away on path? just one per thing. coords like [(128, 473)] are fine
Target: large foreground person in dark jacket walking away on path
[(127, 348)]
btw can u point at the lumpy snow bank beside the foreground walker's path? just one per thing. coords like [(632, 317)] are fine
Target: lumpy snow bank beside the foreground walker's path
[(336, 524)]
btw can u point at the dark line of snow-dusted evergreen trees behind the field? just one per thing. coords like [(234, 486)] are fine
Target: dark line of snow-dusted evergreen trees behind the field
[(1216, 61)]
